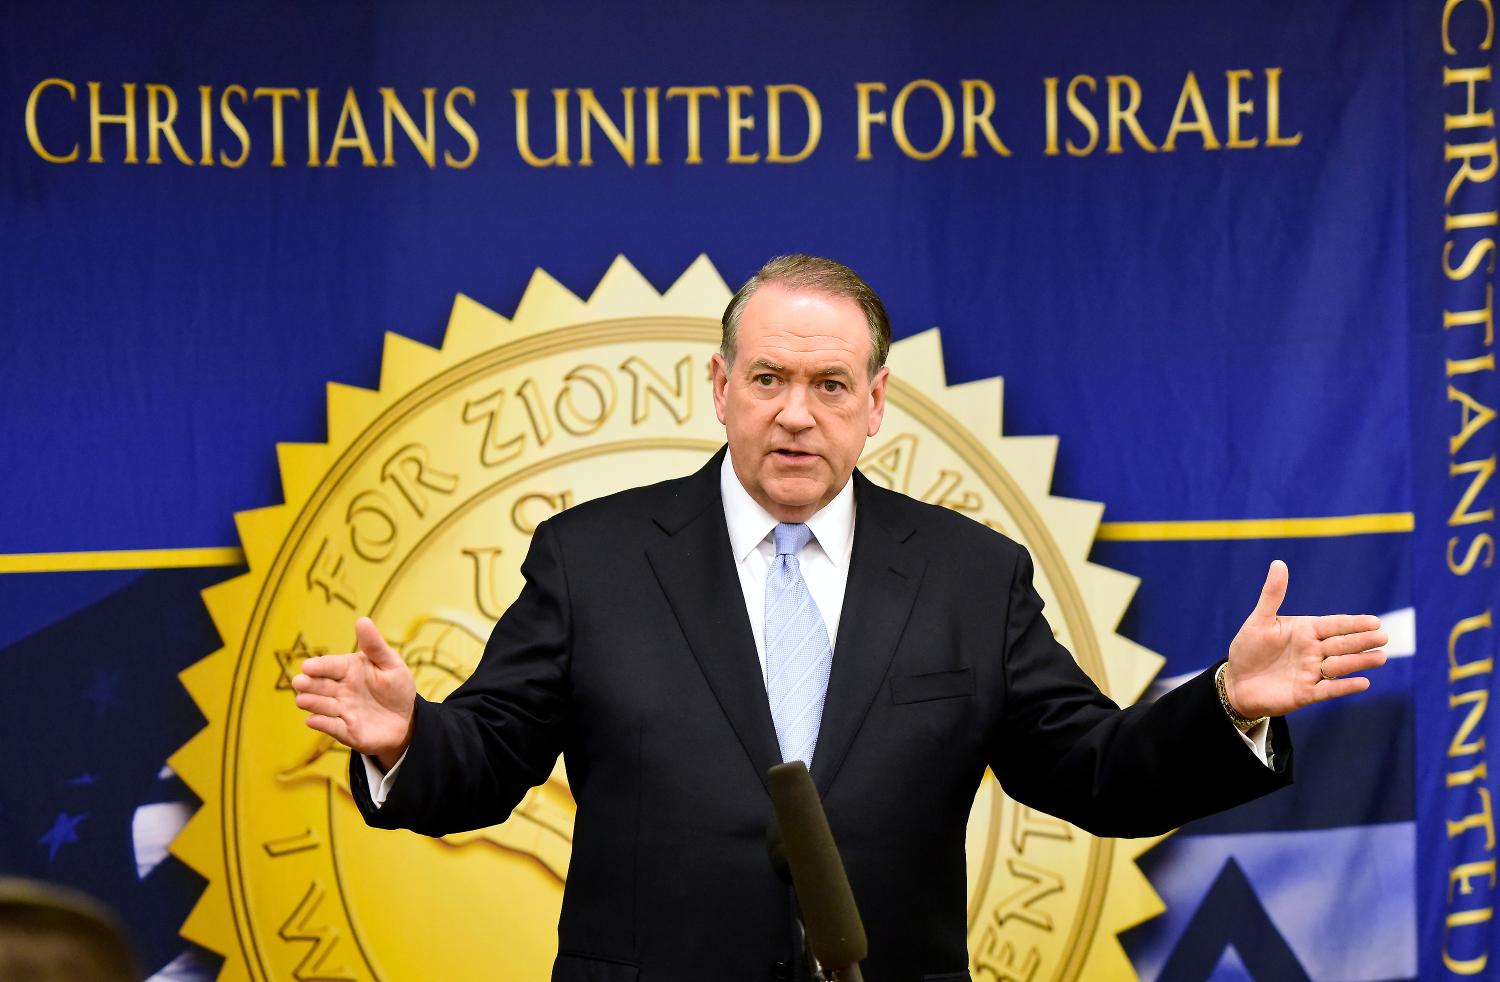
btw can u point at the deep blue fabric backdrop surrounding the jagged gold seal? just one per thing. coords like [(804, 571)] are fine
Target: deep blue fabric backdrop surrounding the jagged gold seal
[(1216, 334)]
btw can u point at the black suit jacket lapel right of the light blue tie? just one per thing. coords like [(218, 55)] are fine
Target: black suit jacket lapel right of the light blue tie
[(883, 584)]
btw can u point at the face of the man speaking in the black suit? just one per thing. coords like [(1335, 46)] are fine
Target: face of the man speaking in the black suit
[(799, 401)]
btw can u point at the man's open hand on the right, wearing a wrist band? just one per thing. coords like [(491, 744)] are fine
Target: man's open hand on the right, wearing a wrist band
[(1279, 665)]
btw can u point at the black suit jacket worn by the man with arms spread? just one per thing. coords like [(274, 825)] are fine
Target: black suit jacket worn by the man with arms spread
[(631, 653)]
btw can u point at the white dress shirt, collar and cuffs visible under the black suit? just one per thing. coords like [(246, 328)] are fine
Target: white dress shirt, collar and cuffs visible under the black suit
[(826, 569)]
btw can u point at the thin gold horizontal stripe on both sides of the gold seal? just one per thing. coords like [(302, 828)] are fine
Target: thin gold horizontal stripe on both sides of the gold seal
[(1109, 533)]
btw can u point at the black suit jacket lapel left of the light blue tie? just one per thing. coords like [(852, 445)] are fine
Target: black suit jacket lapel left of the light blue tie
[(698, 575)]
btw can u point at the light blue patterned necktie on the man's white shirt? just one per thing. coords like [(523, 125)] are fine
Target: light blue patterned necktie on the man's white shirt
[(797, 653)]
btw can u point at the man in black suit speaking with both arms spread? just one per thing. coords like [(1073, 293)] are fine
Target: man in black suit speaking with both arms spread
[(676, 641)]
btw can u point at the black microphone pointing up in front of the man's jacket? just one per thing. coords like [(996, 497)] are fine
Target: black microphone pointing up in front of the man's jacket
[(835, 933)]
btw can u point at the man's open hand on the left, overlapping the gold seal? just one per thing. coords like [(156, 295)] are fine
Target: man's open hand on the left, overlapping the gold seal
[(364, 699)]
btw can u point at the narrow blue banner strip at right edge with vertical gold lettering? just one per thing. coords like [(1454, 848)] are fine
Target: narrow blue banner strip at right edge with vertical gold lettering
[(1454, 458)]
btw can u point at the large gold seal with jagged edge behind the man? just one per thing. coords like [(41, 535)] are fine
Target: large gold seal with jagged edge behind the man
[(418, 513)]
